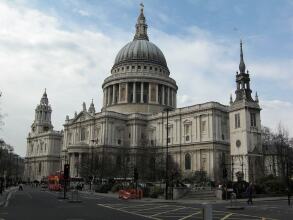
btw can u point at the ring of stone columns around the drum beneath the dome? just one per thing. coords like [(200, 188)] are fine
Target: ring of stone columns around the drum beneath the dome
[(139, 92)]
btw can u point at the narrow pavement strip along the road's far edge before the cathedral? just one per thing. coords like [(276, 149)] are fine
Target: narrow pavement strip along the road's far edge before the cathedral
[(185, 201)]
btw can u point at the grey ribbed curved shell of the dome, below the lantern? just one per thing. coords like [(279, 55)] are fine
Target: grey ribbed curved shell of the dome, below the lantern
[(140, 50)]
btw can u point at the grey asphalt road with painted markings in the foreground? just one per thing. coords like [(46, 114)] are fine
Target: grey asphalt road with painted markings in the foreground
[(33, 204)]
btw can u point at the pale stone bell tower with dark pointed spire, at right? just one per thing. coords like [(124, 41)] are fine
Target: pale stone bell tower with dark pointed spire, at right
[(245, 128)]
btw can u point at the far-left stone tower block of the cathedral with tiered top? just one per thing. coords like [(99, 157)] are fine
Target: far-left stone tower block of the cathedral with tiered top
[(43, 144)]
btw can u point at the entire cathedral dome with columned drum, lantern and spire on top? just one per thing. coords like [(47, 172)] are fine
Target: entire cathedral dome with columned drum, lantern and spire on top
[(140, 79)]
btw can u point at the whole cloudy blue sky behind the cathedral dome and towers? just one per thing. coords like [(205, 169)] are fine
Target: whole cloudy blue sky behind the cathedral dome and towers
[(69, 46)]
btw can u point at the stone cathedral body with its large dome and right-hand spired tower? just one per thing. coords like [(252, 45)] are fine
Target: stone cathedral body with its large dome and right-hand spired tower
[(137, 96)]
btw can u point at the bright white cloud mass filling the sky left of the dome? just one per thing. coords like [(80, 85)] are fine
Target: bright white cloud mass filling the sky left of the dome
[(36, 53)]
